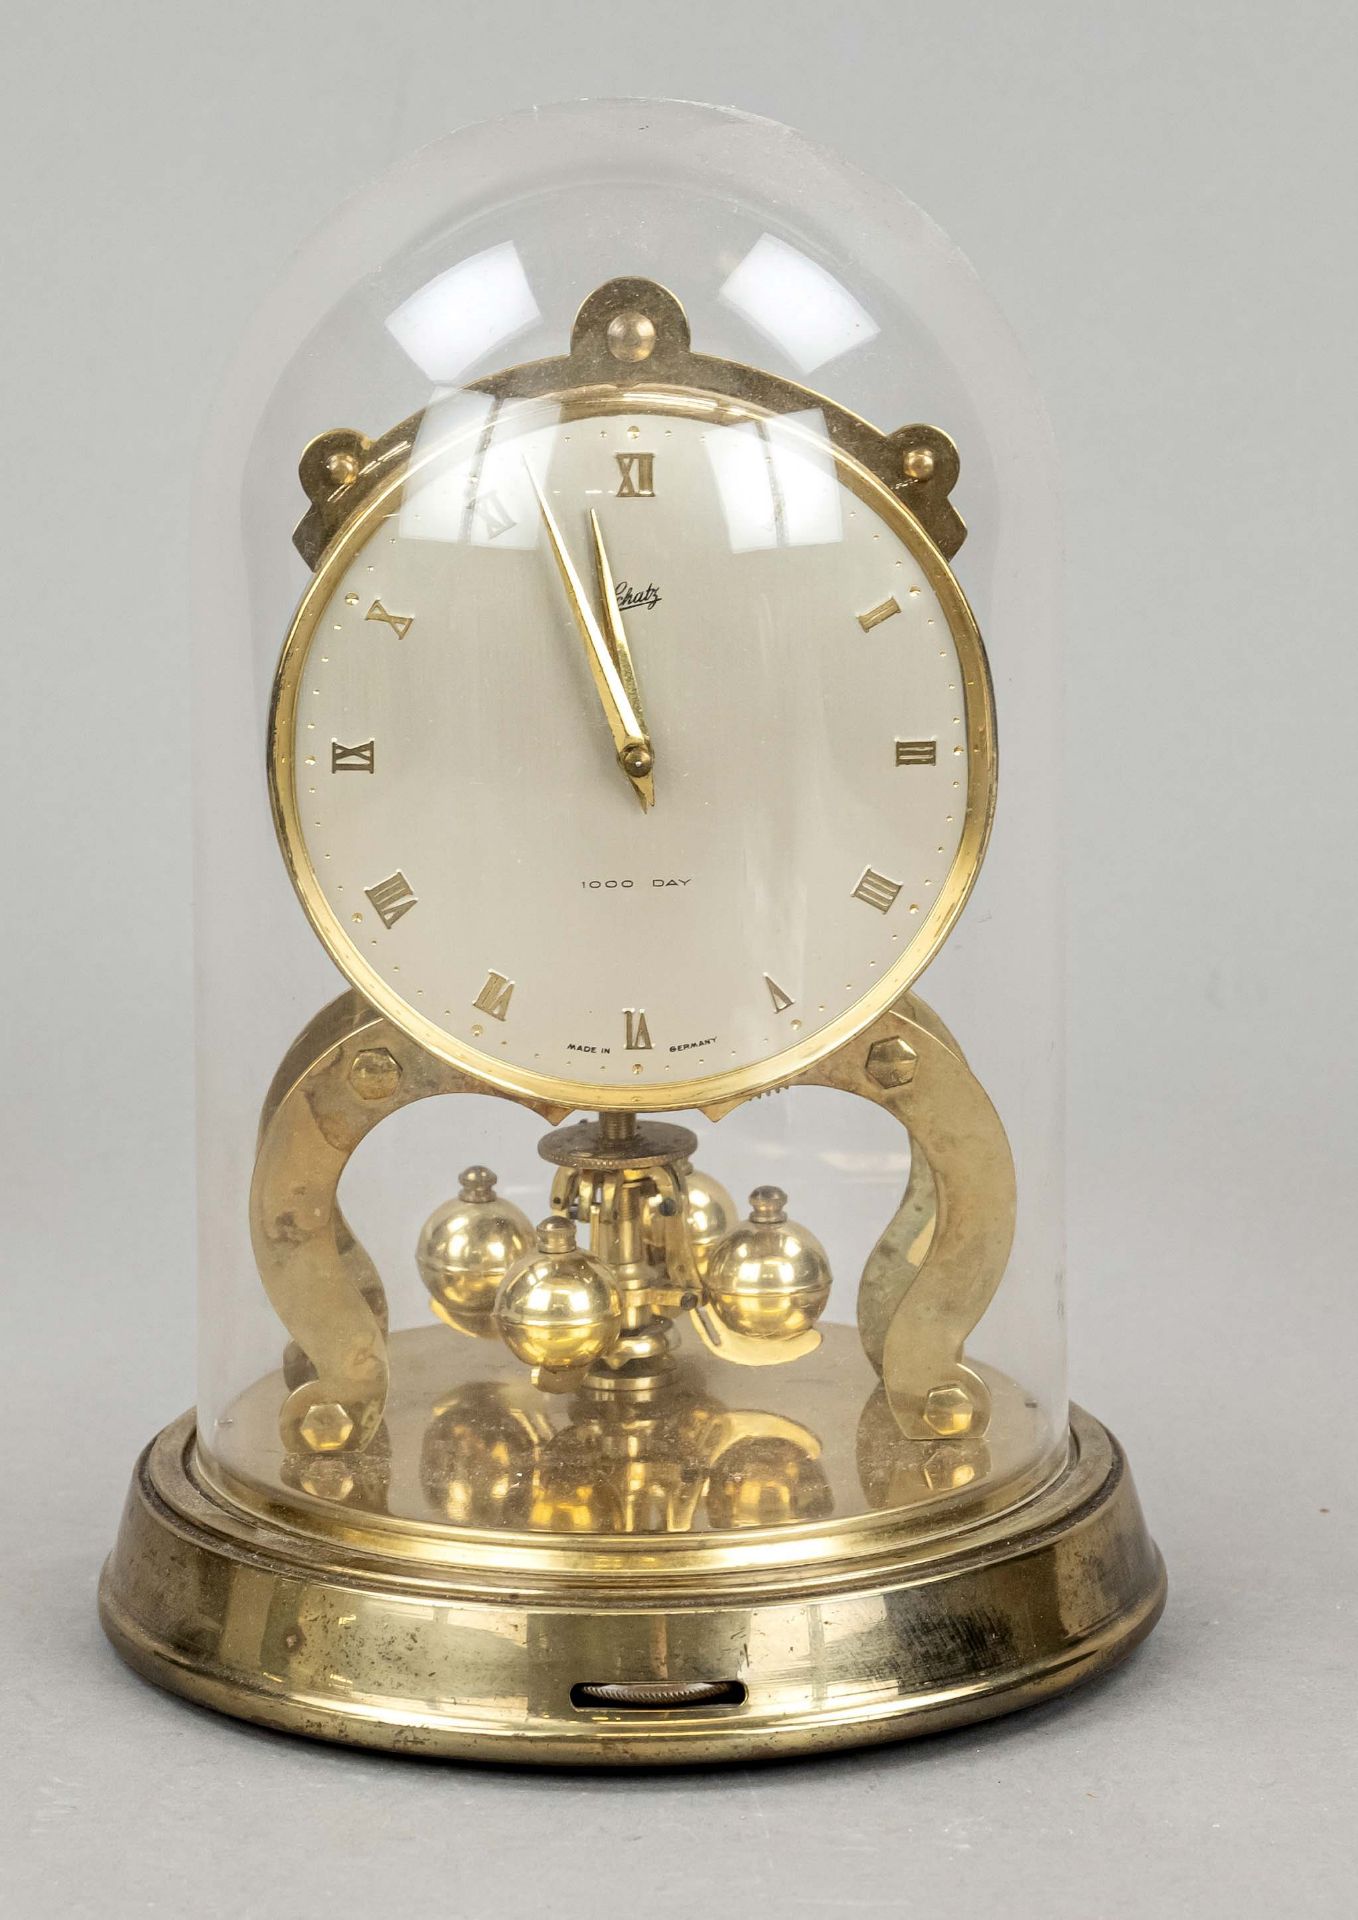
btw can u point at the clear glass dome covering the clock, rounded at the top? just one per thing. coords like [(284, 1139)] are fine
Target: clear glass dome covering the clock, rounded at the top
[(412, 370)]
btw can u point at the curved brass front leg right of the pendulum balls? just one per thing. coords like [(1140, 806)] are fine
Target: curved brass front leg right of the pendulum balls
[(938, 1264)]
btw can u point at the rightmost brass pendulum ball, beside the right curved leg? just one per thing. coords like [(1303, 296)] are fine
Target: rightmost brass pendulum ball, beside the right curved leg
[(769, 1278)]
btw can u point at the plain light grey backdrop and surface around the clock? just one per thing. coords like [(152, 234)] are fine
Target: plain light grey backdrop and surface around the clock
[(1161, 199)]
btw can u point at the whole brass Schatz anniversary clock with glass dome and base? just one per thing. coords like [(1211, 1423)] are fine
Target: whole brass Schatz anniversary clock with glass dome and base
[(596, 727)]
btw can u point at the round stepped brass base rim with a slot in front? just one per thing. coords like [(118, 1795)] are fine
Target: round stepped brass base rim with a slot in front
[(343, 1637)]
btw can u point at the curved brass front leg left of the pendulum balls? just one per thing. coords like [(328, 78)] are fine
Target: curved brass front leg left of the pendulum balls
[(345, 1074)]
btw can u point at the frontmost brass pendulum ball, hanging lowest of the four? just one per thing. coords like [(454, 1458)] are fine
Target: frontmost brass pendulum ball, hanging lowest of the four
[(558, 1307)]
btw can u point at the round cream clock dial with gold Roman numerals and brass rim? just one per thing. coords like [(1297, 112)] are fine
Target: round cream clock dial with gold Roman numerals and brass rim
[(558, 613)]
